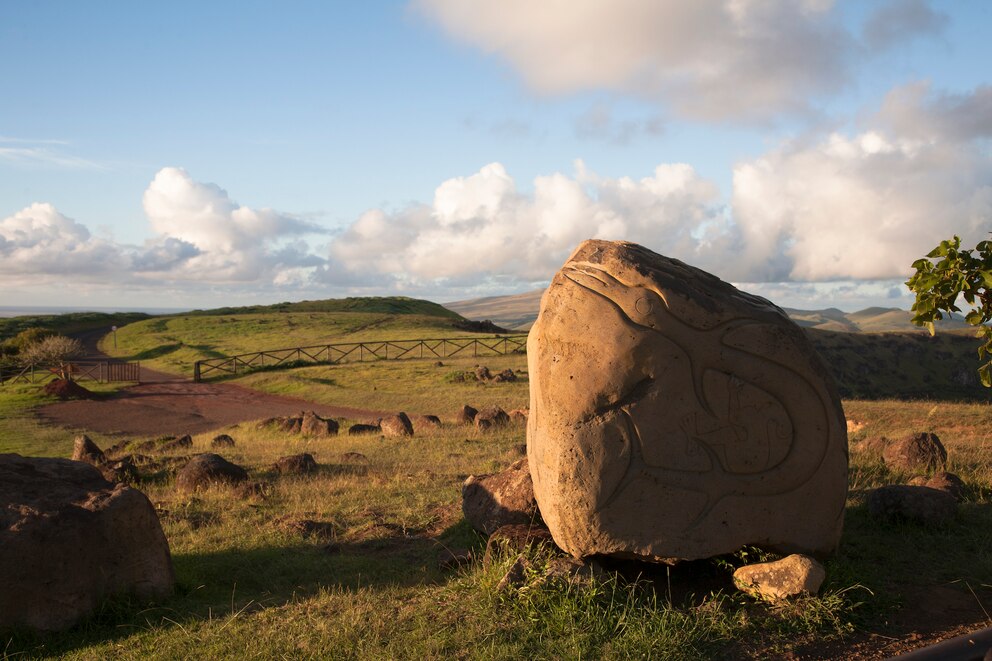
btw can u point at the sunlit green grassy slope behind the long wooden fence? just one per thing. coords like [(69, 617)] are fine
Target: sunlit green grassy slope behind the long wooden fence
[(173, 344)]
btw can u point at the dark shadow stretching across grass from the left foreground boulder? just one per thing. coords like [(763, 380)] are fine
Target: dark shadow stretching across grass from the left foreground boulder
[(215, 585)]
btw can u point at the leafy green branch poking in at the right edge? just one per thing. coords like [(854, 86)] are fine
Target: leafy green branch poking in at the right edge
[(944, 275)]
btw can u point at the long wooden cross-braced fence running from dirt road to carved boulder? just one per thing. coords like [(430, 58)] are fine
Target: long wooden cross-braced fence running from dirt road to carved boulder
[(332, 354)]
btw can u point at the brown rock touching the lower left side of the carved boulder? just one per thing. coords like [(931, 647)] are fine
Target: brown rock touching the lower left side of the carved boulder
[(499, 499)]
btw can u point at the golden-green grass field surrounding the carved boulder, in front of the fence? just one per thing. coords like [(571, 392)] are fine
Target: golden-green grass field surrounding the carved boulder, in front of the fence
[(365, 583)]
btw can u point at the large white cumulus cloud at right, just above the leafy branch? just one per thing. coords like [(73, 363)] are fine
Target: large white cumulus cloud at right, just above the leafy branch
[(864, 206)]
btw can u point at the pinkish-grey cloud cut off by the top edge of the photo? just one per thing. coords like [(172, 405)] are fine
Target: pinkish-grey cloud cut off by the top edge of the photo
[(711, 59)]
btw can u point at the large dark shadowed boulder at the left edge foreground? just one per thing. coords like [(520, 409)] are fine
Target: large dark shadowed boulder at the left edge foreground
[(68, 539)]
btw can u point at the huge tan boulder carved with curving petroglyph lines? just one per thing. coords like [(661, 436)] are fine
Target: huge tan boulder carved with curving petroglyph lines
[(675, 417)]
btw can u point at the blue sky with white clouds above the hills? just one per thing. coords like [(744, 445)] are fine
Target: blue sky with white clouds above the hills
[(206, 154)]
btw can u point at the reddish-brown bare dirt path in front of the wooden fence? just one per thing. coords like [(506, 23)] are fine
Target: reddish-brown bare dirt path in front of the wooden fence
[(168, 404)]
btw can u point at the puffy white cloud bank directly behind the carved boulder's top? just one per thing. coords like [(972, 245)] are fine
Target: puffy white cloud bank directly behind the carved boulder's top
[(483, 226)]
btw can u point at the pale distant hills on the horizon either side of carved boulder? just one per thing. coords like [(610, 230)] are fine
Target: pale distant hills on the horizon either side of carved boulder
[(519, 311)]
